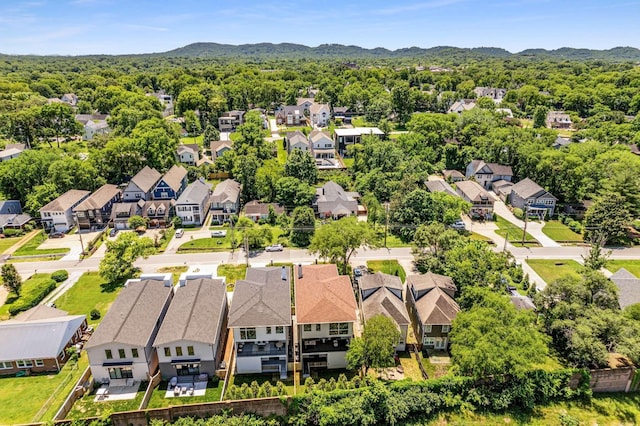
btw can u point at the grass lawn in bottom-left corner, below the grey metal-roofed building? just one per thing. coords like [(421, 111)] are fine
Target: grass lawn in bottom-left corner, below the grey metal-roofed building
[(37, 398)]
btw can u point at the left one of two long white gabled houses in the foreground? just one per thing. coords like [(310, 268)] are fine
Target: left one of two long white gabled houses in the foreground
[(121, 349)]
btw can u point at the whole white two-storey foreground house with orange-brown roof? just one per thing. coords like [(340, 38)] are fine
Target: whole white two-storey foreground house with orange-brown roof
[(326, 312)]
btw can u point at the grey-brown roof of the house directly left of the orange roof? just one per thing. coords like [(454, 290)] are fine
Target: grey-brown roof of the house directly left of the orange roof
[(263, 298)]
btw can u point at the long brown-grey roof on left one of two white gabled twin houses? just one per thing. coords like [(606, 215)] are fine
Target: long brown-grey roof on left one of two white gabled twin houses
[(133, 316)]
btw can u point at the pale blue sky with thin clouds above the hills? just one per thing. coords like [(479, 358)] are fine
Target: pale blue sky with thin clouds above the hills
[(78, 27)]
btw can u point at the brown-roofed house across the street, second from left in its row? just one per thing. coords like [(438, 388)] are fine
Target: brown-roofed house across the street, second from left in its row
[(95, 210)]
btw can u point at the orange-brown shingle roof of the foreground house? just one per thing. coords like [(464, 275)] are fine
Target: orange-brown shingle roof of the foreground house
[(323, 296)]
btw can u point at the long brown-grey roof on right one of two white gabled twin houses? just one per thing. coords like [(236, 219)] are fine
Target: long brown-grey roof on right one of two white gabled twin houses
[(194, 313)]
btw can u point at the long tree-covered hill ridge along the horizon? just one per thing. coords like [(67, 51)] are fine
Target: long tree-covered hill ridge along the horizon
[(211, 50)]
